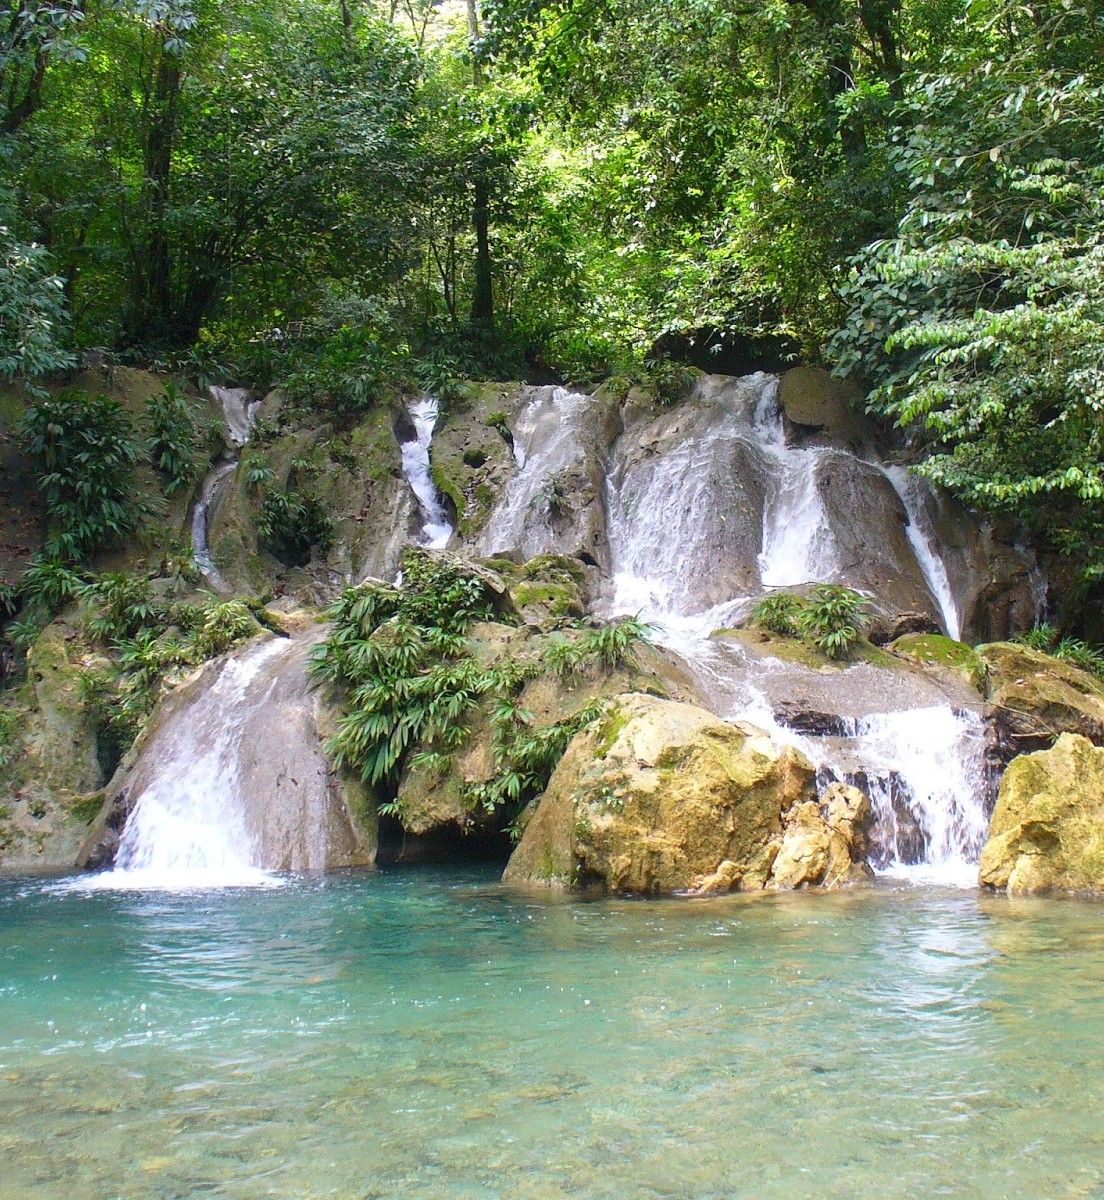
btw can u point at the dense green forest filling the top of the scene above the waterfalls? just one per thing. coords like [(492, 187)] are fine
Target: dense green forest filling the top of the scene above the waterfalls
[(350, 196)]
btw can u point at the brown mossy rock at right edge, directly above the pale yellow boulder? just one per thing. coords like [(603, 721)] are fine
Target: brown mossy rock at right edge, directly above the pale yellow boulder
[(1036, 698)]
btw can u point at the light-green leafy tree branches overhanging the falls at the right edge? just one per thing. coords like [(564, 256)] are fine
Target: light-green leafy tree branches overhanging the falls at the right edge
[(979, 325)]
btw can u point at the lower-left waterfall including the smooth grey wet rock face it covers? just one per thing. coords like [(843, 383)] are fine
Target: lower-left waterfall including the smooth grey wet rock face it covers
[(232, 783)]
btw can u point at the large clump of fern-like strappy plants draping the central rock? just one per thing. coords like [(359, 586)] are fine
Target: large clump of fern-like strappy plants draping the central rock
[(412, 682)]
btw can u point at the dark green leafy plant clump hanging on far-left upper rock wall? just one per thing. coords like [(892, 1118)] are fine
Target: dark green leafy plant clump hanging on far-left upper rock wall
[(87, 451)]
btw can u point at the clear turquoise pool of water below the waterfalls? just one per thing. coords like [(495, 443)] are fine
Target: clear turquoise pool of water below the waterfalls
[(427, 1035)]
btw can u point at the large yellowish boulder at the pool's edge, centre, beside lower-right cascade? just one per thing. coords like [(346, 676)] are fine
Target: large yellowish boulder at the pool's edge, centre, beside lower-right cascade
[(663, 797)]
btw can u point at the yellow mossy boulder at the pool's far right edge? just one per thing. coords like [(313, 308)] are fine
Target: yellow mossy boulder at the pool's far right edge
[(1048, 826)]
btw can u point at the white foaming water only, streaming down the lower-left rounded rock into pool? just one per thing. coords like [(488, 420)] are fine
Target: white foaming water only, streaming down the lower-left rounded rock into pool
[(189, 827)]
